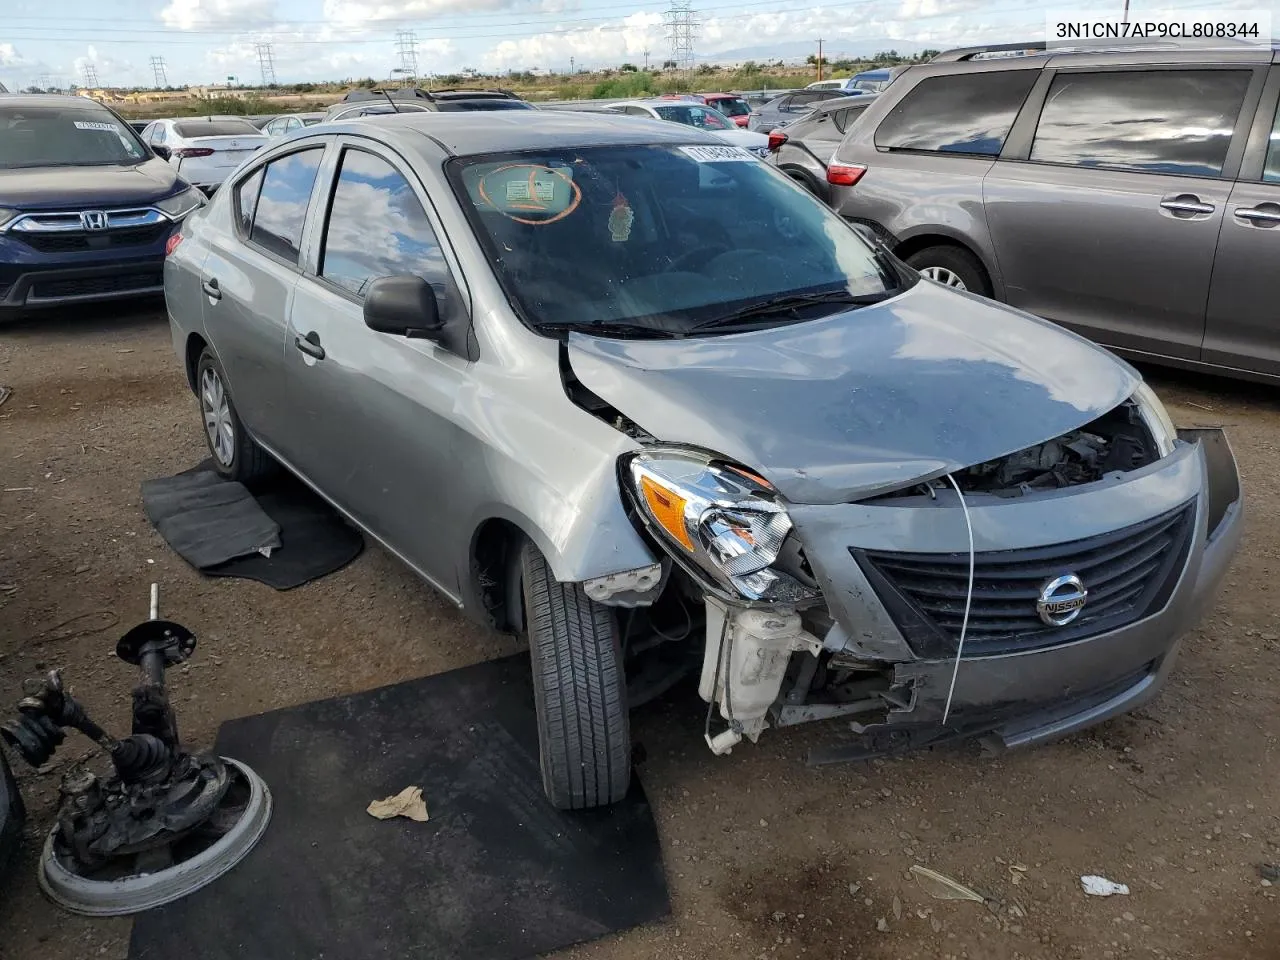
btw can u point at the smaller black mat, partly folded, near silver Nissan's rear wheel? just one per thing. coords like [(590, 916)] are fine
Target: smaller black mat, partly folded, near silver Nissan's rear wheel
[(314, 540)]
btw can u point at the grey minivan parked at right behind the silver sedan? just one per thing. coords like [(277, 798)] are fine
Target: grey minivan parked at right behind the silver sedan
[(1131, 195)]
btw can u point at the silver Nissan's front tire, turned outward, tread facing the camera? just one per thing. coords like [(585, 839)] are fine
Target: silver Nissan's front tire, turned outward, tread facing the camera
[(579, 691)]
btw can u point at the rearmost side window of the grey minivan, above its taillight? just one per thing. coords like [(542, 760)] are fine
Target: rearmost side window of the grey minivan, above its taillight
[(958, 115)]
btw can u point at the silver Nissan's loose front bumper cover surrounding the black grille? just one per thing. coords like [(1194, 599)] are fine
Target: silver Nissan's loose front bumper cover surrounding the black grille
[(1030, 697)]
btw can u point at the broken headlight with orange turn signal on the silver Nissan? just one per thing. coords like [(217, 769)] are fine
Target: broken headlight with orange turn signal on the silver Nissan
[(721, 522)]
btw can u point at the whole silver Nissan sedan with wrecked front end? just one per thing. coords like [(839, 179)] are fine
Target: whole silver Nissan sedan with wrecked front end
[(630, 392)]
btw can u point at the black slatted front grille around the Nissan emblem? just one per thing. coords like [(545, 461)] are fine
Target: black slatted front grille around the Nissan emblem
[(1127, 573)]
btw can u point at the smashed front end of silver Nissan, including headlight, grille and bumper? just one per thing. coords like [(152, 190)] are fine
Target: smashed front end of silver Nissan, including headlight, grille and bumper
[(854, 611)]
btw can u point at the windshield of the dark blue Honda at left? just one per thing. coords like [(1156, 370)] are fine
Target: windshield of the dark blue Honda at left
[(66, 136)]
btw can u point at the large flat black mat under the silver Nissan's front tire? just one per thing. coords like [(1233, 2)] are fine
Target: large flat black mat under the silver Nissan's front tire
[(496, 872)]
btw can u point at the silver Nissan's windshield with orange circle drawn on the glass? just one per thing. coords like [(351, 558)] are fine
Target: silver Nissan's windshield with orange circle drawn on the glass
[(660, 237)]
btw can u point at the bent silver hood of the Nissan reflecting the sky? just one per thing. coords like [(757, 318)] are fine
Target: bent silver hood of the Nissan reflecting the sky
[(863, 401)]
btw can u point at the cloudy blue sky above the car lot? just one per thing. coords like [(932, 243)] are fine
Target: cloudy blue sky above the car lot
[(207, 42)]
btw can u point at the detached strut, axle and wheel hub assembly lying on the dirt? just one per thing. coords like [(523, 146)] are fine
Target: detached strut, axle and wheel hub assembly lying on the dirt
[(164, 822)]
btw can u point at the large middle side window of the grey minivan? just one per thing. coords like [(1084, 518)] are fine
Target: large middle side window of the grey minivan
[(1177, 122)]
